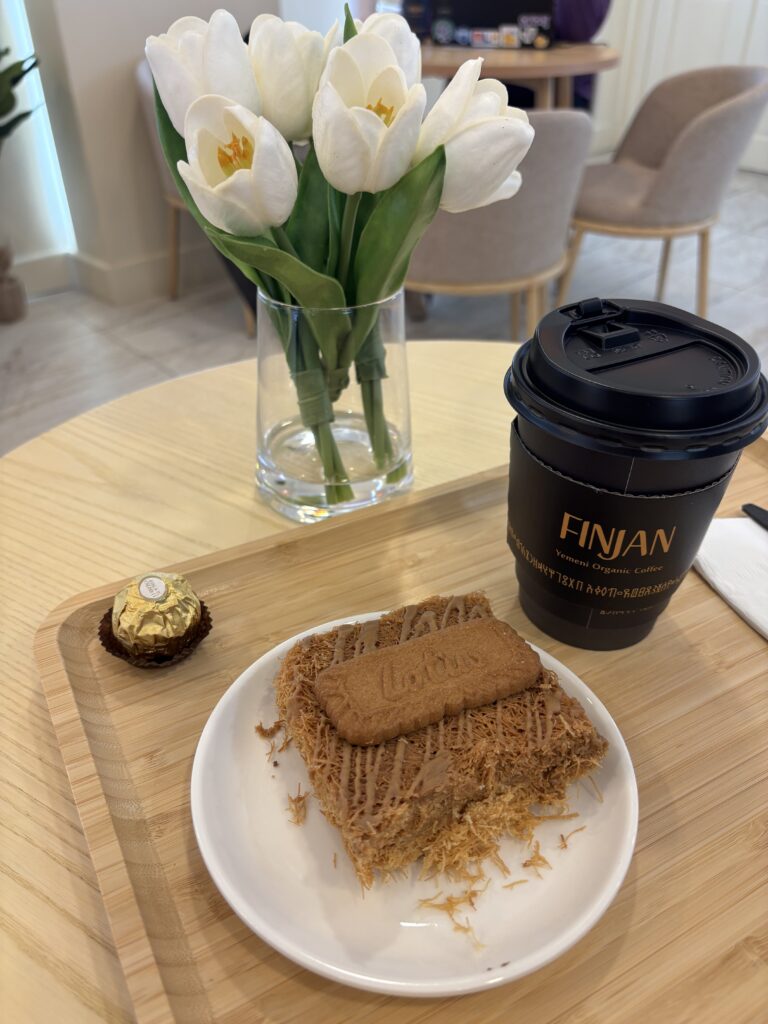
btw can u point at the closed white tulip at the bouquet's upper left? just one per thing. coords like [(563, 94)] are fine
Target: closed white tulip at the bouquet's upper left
[(197, 58)]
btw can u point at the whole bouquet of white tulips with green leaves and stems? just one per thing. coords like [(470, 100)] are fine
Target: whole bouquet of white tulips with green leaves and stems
[(308, 162)]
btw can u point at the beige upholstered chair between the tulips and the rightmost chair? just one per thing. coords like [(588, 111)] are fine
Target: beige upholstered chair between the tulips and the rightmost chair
[(519, 245)]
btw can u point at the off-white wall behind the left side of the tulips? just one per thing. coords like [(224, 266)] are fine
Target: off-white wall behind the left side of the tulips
[(89, 52)]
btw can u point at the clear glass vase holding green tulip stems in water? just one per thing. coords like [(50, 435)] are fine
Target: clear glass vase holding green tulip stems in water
[(333, 413)]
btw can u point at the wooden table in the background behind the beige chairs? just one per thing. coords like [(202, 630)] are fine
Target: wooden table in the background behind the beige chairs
[(549, 73)]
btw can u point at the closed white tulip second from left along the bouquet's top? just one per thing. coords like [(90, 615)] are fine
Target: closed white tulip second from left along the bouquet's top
[(288, 60)]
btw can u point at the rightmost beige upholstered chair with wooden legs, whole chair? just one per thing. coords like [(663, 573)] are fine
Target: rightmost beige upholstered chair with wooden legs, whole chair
[(673, 167)]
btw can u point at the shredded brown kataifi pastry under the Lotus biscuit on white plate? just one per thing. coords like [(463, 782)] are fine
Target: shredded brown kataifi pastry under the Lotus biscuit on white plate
[(446, 793)]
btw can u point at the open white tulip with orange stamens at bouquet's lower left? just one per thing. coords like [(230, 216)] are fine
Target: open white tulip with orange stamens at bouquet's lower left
[(241, 172)]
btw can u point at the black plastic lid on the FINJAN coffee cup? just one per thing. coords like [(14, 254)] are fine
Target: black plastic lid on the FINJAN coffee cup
[(628, 376)]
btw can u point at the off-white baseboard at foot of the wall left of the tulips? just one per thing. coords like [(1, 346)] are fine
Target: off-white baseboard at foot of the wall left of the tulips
[(135, 281)]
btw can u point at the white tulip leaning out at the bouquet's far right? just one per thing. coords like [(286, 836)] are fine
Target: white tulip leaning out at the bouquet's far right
[(485, 141)]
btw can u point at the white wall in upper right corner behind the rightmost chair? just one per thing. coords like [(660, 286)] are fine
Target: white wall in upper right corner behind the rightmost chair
[(660, 38)]
